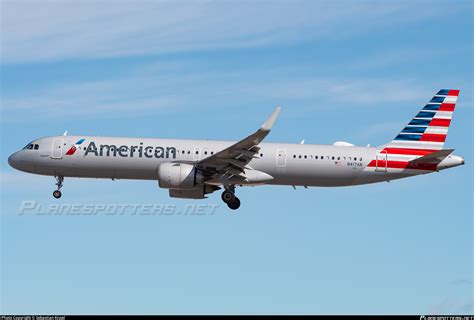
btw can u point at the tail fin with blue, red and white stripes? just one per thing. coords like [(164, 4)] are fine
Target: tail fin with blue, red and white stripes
[(428, 129)]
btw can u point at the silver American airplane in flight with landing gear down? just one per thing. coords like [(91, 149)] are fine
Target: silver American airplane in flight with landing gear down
[(193, 169)]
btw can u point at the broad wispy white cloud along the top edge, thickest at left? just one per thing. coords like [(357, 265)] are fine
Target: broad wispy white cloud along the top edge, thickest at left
[(49, 30)]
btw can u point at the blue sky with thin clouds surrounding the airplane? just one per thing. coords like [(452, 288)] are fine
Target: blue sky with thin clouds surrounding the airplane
[(344, 70)]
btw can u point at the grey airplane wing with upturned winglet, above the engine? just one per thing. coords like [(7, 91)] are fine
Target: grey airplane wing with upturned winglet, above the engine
[(233, 161)]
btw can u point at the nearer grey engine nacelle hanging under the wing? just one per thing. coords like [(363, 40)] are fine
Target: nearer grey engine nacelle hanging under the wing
[(179, 176)]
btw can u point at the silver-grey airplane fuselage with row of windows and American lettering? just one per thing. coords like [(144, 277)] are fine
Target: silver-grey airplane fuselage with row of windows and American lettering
[(139, 158)]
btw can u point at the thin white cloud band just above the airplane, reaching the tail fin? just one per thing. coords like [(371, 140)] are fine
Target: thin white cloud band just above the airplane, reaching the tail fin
[(153, 90)]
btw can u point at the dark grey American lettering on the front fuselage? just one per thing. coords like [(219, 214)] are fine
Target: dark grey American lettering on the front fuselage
[(139, 151)]
